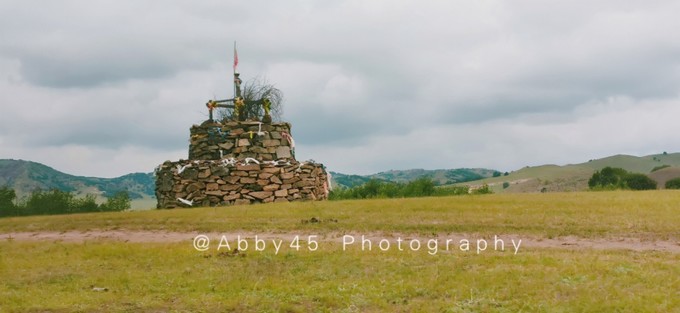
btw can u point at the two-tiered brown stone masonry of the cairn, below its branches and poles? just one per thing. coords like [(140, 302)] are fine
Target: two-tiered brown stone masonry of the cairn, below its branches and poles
[(239, 162)]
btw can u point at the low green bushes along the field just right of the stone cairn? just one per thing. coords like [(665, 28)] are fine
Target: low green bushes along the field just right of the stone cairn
[(421, 187)]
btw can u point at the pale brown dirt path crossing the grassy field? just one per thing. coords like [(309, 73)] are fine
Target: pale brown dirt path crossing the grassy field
[(569, 242)]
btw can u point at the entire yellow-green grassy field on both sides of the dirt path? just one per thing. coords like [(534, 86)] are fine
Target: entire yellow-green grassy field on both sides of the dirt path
[(56, 276)]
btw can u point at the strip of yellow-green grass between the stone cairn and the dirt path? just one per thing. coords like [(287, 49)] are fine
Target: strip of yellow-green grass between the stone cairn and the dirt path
[(639, 214)]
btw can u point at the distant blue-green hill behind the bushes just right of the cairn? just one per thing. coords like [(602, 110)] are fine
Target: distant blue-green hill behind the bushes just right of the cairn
[(440, 177)]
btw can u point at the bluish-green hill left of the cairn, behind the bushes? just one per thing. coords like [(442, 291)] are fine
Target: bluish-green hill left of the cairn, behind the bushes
[(26, 176)]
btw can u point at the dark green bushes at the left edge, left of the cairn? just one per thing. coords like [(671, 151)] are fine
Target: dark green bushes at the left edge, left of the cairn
[(56, 201)]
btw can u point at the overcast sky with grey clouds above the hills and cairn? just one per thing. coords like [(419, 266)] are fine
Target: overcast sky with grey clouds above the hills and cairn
[(105, 88)]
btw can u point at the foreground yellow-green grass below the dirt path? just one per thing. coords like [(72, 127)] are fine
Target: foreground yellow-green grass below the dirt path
[(49, 276)]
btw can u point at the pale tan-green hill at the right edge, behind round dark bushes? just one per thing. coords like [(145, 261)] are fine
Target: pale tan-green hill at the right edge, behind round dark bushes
[(574, 177)]
